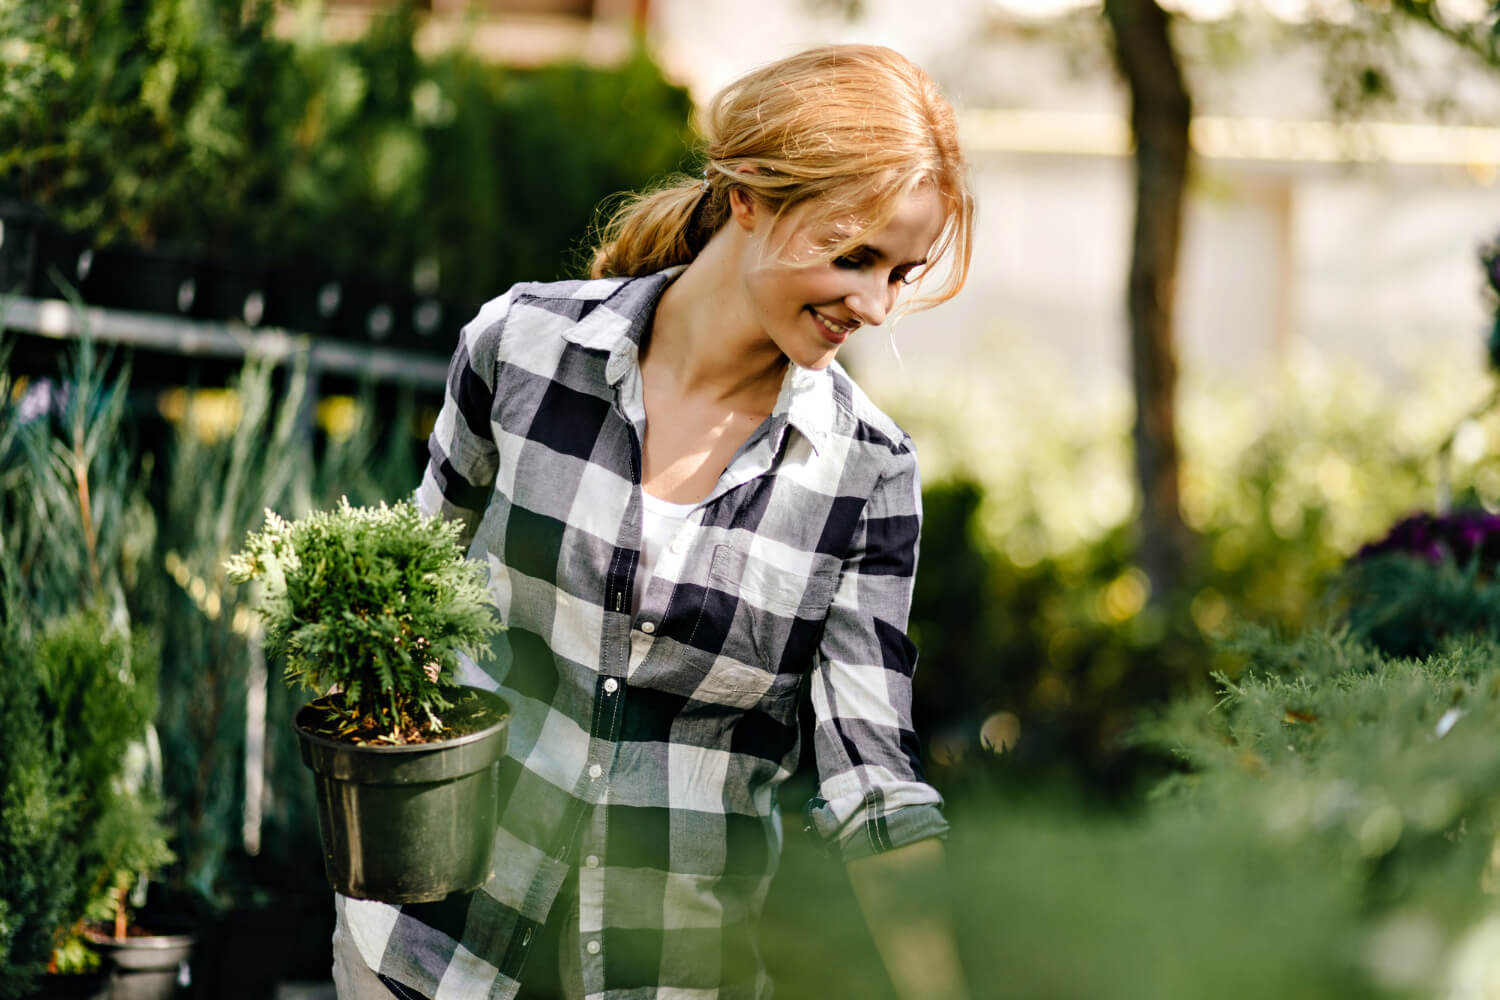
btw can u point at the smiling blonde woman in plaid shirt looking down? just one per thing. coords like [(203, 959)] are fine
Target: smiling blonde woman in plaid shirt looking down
[(692, 516)]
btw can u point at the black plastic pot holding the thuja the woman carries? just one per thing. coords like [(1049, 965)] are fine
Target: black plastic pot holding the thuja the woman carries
[(407, 824)]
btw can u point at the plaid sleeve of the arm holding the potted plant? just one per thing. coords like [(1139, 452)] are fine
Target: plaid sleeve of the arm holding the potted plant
[(463, 457)]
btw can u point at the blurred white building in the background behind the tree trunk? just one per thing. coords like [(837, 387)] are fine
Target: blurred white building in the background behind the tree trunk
[(1357, 241)]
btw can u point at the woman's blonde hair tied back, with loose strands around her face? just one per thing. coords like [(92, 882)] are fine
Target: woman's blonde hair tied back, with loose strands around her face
[(845, 131)]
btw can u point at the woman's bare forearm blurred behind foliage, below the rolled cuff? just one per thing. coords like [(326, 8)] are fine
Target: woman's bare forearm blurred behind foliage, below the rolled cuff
[(907, 911)]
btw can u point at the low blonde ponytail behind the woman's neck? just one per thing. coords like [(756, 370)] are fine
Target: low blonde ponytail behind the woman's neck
[(659, 229)]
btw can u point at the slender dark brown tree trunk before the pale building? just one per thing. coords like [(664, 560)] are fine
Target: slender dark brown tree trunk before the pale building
[(1160, 116)]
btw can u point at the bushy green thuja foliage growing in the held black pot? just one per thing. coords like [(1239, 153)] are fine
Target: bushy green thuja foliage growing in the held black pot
[(371, 608)]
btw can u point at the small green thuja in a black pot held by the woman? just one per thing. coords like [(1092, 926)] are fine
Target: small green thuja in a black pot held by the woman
[(371, 608)]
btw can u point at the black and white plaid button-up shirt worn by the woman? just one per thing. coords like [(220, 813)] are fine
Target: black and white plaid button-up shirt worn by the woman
[(658, 783)]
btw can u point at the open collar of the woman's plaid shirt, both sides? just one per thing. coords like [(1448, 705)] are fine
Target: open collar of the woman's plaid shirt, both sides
[(620, 323)]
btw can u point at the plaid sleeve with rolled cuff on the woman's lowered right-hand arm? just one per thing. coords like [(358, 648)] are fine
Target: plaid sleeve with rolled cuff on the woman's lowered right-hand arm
[(872, 794)]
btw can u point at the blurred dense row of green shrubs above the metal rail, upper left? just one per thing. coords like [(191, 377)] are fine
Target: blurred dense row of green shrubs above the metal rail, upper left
[(188, 124)]
